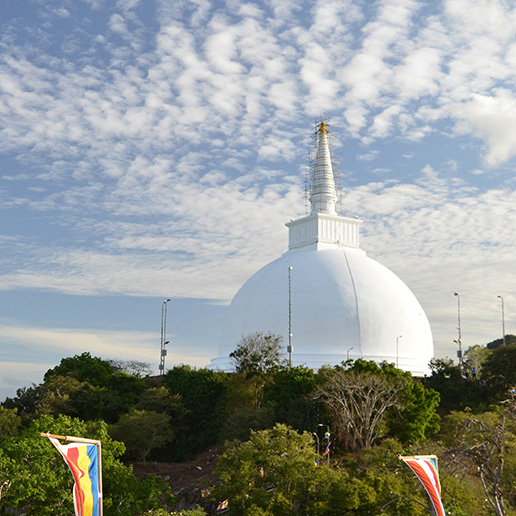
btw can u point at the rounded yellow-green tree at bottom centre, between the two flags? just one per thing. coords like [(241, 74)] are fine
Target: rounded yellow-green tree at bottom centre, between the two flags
[(275, 472)]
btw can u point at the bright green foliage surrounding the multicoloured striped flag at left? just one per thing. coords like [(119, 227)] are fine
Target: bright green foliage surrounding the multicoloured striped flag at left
[(40, 483)]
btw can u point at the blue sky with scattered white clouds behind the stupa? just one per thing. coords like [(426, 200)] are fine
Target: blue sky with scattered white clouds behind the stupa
[(154, 149)]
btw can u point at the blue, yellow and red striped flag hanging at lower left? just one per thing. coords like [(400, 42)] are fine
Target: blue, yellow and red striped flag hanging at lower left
[(83, 459)]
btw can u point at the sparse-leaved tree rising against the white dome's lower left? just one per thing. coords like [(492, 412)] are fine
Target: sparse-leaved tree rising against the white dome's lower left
[(258, 353)]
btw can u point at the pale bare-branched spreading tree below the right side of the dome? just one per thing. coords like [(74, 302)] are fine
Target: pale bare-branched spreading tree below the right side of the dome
[(358, 400)]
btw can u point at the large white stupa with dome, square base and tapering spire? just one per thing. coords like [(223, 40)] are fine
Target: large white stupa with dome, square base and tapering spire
[(343, 304)]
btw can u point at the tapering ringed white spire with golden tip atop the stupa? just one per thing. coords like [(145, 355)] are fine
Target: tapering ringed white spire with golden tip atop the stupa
[(323, 195)]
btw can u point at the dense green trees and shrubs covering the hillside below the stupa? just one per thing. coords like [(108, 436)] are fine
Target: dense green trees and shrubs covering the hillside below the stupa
[(293, 441)]
